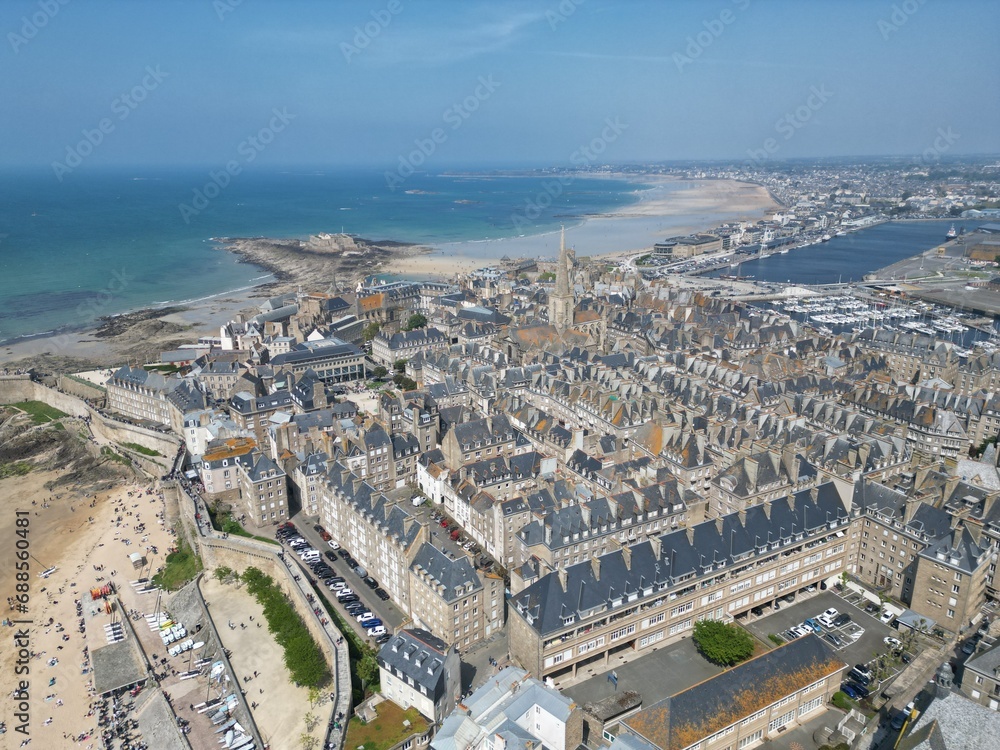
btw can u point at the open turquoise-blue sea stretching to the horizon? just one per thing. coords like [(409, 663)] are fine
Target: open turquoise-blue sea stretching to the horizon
[(105, 241)]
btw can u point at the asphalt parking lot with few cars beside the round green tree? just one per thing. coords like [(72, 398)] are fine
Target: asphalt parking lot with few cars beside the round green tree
[(853, 648)]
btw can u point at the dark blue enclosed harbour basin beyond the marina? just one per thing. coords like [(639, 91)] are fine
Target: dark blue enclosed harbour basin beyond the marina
[(850, 257)]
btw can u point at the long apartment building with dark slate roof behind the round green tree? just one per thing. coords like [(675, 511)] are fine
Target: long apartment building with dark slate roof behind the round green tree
[(634, 597)]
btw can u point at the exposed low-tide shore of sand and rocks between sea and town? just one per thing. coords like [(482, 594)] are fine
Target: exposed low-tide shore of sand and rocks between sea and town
[(292, 263)]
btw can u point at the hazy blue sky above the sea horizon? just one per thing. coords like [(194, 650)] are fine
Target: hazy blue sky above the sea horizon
[(397, 83)]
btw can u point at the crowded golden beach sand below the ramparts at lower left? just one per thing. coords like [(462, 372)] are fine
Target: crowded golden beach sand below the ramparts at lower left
[(62, 535)]
